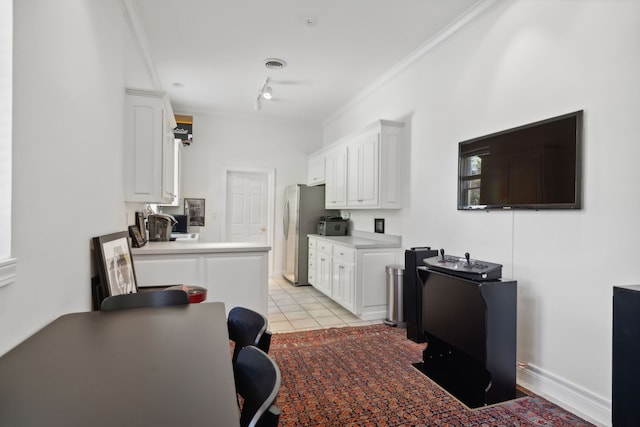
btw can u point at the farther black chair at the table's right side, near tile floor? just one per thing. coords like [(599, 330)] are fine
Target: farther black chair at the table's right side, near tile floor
[(248, 327)]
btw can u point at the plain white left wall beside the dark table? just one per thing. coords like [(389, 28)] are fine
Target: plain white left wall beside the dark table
[(68, 111)]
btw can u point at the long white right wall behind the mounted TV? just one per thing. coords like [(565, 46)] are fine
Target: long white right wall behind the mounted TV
[(525, 61)]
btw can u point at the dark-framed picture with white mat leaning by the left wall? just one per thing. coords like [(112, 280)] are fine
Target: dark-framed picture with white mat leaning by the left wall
[(114, 264)]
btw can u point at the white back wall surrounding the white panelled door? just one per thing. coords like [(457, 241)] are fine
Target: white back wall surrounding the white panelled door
[(223, 142)]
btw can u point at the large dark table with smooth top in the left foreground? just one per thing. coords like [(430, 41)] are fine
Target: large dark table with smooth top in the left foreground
[(168, 366)]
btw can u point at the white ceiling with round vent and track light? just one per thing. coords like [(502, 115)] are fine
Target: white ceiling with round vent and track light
[(209, 54)]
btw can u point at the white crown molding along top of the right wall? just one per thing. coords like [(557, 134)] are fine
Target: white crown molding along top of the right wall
[(477, 10)]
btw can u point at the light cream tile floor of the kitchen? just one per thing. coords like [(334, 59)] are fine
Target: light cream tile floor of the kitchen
[(302, 308)]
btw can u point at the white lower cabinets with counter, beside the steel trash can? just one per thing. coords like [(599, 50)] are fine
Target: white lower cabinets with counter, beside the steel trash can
[(354, 278)]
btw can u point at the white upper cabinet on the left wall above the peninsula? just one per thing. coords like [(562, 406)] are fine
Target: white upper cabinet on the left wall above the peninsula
[(149, 149)]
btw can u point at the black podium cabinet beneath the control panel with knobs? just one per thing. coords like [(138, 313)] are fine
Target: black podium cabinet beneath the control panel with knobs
[(471, 336)]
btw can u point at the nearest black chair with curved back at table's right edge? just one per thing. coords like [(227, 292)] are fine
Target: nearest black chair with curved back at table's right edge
[(258, 382)]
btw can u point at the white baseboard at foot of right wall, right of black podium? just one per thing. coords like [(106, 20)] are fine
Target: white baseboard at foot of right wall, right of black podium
[(578, 400)]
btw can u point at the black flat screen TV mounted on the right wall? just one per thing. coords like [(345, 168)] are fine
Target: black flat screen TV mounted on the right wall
[(534, 166)]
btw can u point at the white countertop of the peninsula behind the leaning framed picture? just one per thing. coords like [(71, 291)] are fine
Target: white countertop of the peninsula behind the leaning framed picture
[(191, 247)]
